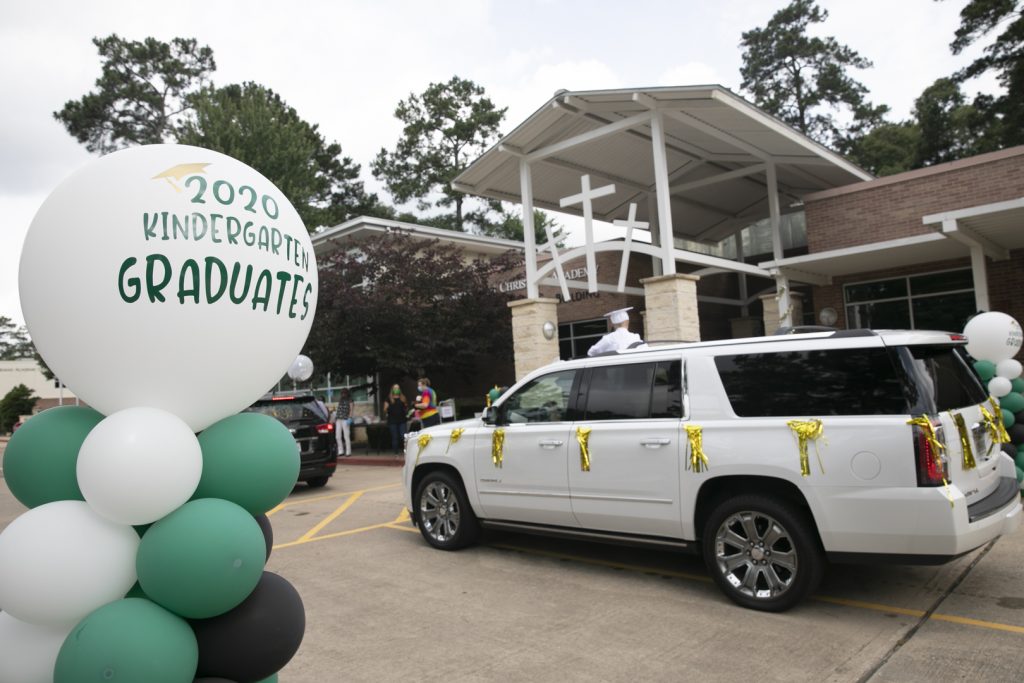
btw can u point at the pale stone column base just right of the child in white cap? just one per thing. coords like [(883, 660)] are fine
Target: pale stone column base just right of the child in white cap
[(672, 309)]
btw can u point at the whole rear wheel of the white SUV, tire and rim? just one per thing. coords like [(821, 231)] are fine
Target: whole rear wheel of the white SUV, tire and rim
[(763, 553)]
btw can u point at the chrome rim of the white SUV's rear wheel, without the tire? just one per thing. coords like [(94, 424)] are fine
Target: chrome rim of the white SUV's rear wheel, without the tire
[(756, 556)]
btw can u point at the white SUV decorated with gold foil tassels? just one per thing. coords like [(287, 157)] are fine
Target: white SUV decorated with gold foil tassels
[(767, 455)]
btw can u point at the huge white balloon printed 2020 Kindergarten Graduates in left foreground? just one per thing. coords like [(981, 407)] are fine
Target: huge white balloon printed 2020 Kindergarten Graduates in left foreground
[(172, 277)]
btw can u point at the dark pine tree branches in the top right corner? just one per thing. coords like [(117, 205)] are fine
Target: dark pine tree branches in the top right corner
[(1005, 57)]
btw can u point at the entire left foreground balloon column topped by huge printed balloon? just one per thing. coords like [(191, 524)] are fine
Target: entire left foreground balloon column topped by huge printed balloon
[(169, 287)]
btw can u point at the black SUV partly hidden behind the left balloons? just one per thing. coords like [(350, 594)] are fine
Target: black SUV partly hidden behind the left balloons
[(307, 418)]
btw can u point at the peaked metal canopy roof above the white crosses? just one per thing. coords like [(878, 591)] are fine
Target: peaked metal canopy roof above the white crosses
[(718, 148)]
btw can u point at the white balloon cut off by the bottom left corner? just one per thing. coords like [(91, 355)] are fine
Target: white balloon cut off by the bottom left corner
[(28, 652)]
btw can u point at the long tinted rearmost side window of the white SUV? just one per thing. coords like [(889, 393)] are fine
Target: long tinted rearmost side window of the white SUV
[(814, 383)]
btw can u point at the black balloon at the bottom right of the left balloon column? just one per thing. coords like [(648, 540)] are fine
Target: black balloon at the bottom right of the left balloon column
[(258, 638)]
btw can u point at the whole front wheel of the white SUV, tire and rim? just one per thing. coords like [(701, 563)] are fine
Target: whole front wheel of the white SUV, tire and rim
[(445, 518)]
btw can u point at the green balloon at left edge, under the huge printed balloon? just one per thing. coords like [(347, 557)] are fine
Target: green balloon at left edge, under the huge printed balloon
[(41, 457)]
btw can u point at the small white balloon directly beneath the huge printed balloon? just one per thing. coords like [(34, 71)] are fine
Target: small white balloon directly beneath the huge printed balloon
[(140, 465)]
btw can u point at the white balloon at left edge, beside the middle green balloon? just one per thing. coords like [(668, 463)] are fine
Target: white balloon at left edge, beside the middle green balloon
[(62, 561)]
